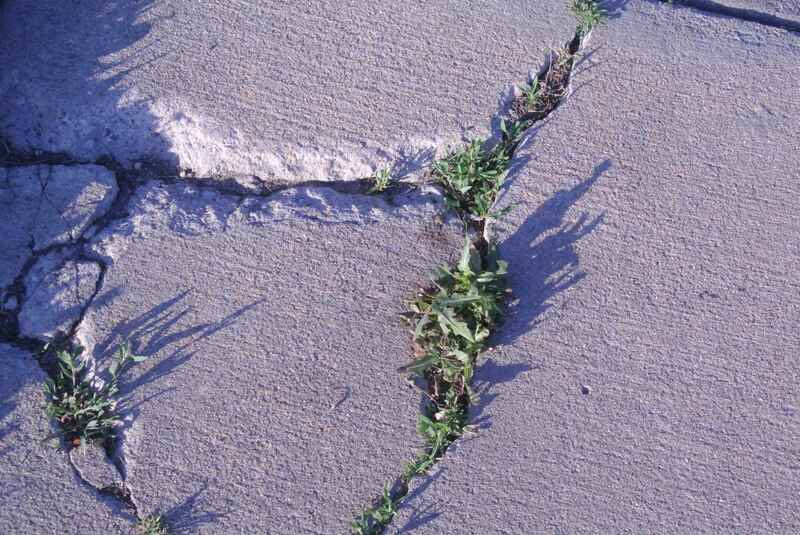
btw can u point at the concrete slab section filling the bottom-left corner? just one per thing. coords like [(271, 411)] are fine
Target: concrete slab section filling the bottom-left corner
[(38, 489)]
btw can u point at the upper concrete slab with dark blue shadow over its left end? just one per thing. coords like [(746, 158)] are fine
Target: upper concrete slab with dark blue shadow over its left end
[(311, 90)]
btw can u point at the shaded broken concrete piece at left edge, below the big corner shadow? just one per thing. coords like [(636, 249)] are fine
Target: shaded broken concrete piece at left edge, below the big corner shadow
[(43, 205)]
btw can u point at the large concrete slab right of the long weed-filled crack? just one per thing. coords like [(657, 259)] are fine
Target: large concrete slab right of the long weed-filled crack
[(646, 379)]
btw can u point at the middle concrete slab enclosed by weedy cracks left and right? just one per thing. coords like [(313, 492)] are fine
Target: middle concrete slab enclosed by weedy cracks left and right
[(270, 402)]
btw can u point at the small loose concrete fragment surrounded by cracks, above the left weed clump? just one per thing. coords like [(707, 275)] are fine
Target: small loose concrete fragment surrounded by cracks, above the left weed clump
[(57, 289)]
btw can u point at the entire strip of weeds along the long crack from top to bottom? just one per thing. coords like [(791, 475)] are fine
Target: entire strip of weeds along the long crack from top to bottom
[(453, 320)]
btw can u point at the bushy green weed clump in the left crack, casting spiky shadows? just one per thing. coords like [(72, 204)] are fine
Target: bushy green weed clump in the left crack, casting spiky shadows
[(85, 413)]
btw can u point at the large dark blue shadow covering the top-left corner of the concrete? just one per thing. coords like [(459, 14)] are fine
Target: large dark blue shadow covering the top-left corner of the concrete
[(81, 102)]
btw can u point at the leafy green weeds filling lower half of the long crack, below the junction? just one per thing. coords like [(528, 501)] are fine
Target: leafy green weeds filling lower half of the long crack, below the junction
[(452, 322)]
